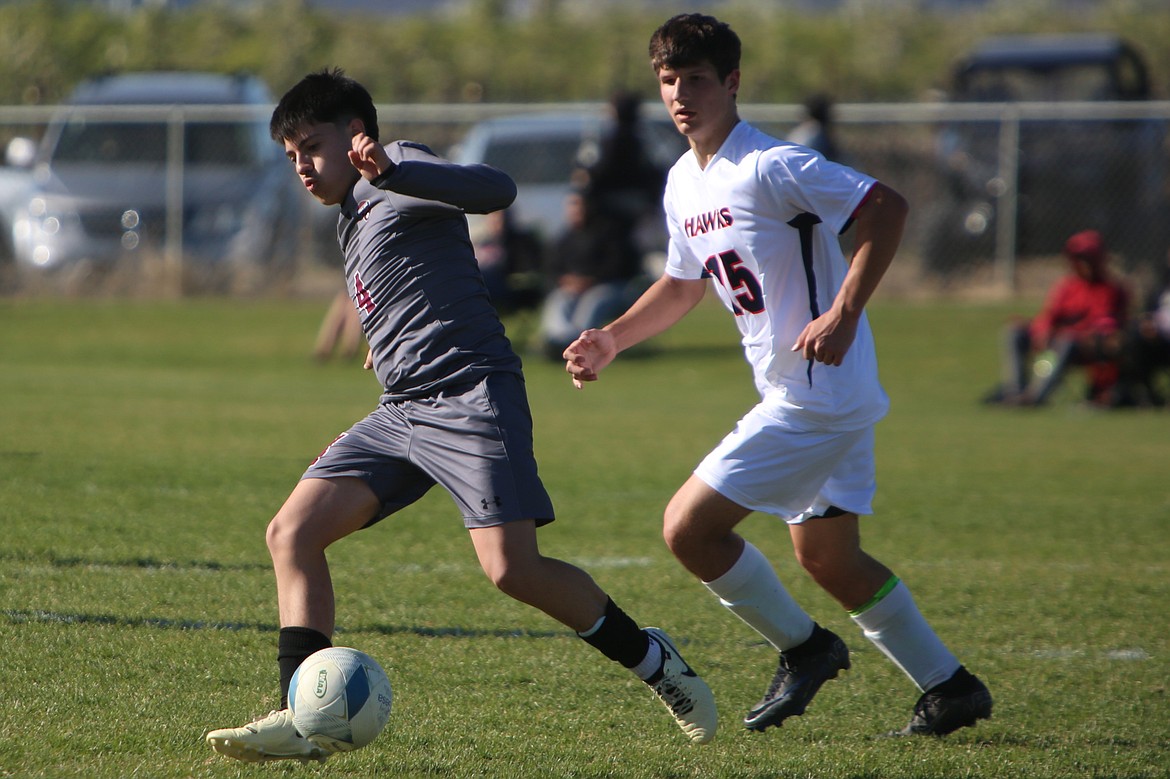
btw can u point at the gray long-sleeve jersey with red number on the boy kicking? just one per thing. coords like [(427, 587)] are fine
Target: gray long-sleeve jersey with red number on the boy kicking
[(412, 273)]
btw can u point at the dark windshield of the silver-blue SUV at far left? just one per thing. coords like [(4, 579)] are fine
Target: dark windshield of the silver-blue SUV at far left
[(217, 143)]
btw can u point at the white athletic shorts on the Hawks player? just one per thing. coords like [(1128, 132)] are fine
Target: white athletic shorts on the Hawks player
[(766, 467)]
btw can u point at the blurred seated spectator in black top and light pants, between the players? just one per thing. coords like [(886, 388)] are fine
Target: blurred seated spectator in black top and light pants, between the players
[(593, 267)]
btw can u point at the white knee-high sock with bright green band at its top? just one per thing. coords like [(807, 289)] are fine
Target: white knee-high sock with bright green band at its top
[(894, 624)]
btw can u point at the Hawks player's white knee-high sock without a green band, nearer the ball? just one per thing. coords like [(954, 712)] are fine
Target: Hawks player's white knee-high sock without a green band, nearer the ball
[(754, 594)]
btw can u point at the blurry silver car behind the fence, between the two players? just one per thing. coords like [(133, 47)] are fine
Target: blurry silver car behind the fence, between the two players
[(540, 151)]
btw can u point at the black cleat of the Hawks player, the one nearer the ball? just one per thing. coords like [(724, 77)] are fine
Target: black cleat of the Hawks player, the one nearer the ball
[(801, 673)]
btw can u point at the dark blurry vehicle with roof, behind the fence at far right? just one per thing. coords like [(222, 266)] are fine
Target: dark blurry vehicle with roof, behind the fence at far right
[(1107, 175)]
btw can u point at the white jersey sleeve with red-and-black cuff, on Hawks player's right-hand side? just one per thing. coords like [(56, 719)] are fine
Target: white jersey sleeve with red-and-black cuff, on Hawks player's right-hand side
[(802, 180)]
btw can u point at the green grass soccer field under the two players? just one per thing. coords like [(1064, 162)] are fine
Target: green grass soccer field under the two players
[(144, 447)]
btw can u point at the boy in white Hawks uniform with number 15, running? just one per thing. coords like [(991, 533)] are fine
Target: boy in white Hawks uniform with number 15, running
[(761, 217)]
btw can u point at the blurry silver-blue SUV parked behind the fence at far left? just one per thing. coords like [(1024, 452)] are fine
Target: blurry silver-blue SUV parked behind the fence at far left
[(104, 177)]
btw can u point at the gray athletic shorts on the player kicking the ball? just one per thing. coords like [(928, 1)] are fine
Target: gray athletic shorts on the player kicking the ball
[(473, 440)]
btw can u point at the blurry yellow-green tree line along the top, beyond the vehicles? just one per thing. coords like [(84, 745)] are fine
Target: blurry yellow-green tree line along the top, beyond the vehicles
[(862, 52)]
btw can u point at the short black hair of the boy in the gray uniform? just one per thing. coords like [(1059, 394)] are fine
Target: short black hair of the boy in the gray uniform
[(324, 98)]
